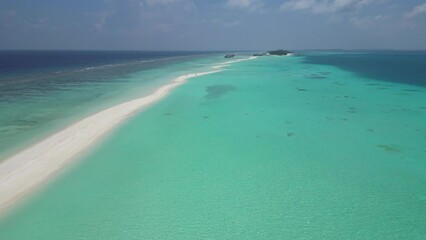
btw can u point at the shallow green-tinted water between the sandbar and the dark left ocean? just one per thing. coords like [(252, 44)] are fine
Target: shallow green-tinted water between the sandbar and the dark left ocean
[(34, 105)]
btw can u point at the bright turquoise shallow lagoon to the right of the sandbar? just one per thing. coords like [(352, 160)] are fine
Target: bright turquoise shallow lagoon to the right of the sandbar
[(272, 148)]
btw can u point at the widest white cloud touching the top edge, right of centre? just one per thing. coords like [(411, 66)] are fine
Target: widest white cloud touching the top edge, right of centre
[(323, 6)]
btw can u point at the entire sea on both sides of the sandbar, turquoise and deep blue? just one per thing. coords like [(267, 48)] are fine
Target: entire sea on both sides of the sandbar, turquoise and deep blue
[(318, 145)]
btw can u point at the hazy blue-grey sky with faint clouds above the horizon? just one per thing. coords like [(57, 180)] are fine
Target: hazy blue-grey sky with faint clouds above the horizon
[(212, 24)]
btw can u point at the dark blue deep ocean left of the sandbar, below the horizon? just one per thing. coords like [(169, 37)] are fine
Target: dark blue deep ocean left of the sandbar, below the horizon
[(21, 72)]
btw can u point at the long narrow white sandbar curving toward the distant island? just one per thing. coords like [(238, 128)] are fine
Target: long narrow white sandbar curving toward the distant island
[(25, 171)]
